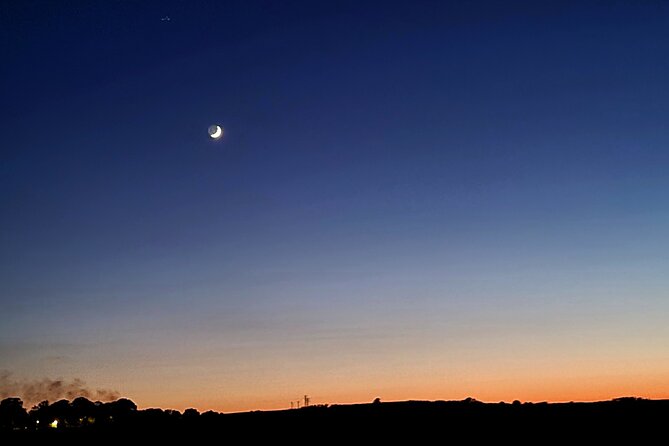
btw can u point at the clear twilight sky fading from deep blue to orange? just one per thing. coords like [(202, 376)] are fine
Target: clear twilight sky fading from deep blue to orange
[(428, 200)]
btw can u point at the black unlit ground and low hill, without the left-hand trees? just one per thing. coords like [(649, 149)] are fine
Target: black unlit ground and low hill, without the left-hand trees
[(627, 419)]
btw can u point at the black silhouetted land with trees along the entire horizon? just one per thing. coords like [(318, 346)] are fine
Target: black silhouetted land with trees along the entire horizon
[(477, 420)]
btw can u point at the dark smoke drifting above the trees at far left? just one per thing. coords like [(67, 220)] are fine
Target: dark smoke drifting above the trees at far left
[(32, 392)]
